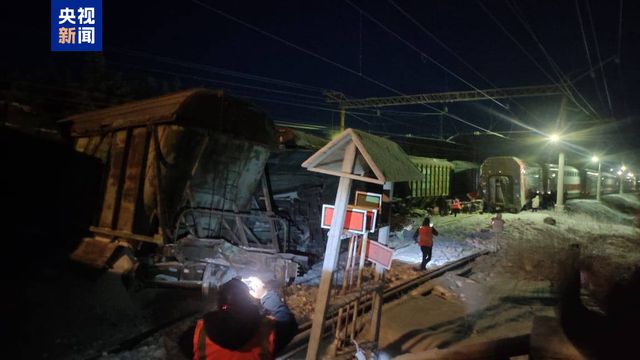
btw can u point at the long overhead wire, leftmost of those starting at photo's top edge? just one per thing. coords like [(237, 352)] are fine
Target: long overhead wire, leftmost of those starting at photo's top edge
[(329, 61)]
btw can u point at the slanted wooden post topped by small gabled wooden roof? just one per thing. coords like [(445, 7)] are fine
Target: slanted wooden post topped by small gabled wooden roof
[(353, 155)]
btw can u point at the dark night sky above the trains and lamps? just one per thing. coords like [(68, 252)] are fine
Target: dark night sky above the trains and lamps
[(282, 56)]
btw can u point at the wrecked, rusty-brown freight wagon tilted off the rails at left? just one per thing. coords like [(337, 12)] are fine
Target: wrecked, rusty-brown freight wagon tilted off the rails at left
[(183, 172)]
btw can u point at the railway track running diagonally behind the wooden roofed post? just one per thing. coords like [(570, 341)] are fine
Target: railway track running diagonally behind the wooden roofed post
[(300, 341)]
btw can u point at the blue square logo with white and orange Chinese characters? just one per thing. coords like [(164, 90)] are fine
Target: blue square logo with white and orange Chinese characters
[(76, 25)]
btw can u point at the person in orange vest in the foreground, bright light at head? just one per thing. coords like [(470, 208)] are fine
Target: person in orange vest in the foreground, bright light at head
[(248, 324)]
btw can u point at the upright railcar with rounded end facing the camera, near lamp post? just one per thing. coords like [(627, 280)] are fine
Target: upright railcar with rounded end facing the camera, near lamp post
[(508, 182)]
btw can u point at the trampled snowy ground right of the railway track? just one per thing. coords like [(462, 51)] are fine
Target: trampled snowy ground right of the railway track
[(502, 292)]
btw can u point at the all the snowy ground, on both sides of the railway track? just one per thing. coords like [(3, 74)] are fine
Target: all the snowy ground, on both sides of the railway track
[(494, 299)]
